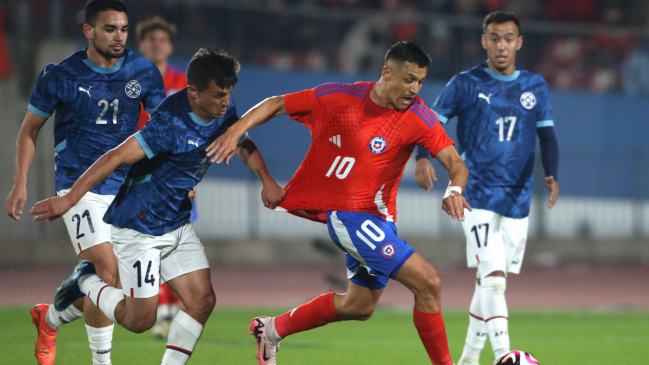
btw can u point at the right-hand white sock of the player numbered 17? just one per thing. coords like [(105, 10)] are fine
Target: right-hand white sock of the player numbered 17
[(494, 310)]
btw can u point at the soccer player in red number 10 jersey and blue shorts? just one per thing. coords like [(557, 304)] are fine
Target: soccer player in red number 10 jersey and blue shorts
[(363, 135)]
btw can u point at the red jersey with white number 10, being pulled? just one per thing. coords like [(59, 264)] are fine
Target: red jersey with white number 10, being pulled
[(355, 164)]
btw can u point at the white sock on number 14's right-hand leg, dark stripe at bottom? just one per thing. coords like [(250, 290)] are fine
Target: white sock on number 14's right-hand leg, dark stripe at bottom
[(181, 341)]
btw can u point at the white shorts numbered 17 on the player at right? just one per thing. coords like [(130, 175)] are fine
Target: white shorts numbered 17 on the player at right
[(494, 242)]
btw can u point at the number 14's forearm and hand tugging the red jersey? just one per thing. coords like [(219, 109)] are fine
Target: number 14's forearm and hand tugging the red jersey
[(271, 194)]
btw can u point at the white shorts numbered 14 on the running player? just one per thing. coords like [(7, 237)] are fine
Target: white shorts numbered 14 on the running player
[(147, 261)]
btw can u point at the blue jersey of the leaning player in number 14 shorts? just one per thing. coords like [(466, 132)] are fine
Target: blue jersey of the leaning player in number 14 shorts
[(153, 197)]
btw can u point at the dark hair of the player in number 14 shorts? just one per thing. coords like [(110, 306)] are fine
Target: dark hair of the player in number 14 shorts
[(212, 64)]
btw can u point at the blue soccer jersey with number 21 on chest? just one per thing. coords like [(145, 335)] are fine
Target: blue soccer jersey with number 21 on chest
[(96, 108)]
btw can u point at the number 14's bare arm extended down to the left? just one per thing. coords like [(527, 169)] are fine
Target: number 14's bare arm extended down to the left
[(125, 154)]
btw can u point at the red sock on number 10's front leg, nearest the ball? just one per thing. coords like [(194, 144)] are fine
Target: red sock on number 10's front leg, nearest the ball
[(432, 332)]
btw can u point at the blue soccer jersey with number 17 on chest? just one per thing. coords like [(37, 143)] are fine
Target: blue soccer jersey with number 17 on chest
[(498, 117)]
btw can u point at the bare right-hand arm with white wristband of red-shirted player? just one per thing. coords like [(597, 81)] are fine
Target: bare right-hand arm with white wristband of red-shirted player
[(453, 202)]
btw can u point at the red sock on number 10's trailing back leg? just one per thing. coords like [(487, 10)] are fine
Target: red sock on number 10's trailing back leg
[(313, 314)]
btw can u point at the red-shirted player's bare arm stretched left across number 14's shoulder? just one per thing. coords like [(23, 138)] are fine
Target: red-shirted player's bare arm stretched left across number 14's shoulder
[(223, 148)]
